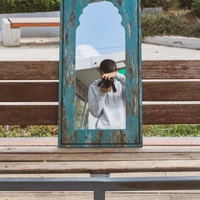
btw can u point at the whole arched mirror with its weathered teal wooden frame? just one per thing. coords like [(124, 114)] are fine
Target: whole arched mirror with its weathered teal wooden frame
[(100, 39)]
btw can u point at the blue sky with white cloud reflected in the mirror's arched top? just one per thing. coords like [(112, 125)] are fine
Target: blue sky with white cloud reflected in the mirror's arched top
[(100, 30)]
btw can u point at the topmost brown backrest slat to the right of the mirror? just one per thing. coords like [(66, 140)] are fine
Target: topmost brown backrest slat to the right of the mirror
[(171, 69)]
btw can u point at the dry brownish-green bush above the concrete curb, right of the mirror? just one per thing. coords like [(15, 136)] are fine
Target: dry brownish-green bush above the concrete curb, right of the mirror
[(169, 24)]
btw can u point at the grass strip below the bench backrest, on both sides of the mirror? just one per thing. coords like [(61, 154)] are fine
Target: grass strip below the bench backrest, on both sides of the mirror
[(148, 131)]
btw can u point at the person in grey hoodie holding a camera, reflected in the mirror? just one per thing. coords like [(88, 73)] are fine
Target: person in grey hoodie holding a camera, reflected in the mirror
[(106, 97)]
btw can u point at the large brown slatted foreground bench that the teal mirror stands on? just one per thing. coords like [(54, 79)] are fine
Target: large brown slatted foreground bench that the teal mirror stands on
[(171, 93)]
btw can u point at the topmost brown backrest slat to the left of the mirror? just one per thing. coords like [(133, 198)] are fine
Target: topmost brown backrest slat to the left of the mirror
[(29, 70)]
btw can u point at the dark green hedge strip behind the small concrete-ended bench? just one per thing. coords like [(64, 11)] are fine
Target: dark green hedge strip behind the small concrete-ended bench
[(24, 6)]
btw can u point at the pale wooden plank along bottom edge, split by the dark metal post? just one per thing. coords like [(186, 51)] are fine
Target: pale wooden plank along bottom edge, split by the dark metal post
[(139, 195)]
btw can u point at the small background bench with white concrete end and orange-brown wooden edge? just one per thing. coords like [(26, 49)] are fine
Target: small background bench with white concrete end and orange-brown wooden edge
[(11, 31)]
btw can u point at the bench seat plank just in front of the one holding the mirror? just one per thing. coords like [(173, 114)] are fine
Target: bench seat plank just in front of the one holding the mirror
[(98, 157)]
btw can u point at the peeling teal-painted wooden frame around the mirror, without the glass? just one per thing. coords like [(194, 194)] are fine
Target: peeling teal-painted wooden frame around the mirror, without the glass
[(68, 136)]
